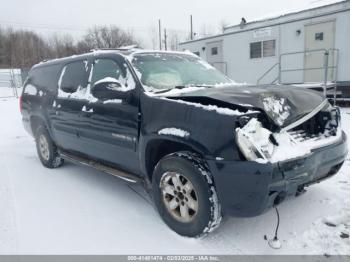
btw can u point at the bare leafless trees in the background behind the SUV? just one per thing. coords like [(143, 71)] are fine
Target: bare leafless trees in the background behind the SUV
[(24, 48)]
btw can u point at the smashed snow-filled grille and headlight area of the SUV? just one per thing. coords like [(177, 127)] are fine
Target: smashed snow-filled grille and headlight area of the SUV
[(260, 142)]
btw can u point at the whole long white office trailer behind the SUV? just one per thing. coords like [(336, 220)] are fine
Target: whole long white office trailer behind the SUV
[(308, 46)]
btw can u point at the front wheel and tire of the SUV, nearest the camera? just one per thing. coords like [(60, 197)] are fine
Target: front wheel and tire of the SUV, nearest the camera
[(185, 195)]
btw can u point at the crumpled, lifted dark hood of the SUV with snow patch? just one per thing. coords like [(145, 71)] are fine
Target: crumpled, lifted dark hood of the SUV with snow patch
[(283, 104)]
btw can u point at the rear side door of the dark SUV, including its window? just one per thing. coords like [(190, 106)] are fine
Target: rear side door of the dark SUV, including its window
[(68, 105)]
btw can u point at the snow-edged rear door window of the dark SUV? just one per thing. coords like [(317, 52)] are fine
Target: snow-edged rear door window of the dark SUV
[(74, 77)]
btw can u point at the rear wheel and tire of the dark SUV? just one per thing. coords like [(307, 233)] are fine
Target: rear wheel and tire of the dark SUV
[(46, 149)]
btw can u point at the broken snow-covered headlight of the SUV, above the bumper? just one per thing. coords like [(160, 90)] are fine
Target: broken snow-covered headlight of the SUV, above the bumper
[(254, 141)]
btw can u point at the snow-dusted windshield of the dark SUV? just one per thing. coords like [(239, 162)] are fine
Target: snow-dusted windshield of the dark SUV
[(161, 71)]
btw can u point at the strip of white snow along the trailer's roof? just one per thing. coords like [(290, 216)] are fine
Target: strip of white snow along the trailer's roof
[(307, 6)]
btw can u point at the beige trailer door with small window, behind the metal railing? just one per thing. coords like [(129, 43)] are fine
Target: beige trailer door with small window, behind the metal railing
[(318, 36)]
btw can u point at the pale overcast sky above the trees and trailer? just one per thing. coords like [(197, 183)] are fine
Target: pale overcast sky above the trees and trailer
[(74, 16)]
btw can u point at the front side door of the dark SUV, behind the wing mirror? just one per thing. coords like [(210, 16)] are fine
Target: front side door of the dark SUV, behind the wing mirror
[(112, 135)]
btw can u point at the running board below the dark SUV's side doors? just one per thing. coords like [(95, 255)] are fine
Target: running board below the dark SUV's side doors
[(106, 169)]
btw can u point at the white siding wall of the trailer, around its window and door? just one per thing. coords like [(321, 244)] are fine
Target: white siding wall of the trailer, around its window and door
[(236, 45)]
